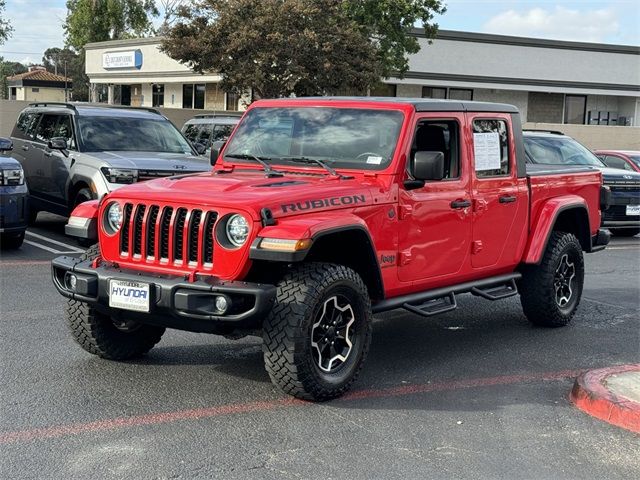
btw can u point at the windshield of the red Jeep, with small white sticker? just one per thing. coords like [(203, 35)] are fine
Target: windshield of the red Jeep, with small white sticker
[(341, 137)]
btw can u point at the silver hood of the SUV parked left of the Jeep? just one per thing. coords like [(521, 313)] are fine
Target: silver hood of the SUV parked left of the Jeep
[(177, 162)]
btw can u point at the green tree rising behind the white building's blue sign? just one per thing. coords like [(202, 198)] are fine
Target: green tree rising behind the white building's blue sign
[(100, 20)]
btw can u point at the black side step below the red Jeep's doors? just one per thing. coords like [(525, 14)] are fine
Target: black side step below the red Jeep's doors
[(495, 287)]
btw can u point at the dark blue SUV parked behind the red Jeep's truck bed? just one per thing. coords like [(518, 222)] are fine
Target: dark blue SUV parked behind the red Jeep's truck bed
[(547, 150)]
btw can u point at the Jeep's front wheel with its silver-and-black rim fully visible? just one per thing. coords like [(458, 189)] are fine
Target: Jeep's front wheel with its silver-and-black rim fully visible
[(318, 333)]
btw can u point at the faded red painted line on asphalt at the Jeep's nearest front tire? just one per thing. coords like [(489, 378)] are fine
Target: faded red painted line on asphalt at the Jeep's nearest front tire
[(110, 424)]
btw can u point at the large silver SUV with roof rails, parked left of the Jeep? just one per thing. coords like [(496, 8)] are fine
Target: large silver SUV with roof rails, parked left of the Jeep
[(72, 153)]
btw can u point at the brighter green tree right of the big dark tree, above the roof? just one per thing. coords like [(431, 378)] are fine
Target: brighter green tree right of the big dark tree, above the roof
[(389, 23)]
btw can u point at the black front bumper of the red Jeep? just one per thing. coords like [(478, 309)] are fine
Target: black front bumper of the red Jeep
[(174, 302)]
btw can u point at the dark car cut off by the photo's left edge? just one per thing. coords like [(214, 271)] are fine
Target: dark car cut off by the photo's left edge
[(14, 198)]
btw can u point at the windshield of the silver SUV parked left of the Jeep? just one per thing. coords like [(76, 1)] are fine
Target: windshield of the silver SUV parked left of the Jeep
[(99, 134)]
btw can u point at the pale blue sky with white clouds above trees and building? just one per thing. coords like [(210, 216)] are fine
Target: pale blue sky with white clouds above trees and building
[(38, 23)]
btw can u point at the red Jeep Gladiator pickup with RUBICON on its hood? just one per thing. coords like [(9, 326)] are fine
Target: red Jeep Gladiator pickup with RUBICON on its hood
[(319, 213)]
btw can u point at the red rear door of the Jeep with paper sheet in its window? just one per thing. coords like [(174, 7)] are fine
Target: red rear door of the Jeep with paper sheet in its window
[(500, 199)]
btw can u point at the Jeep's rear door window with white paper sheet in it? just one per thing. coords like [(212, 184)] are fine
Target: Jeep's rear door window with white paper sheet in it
[(491, 148)]
